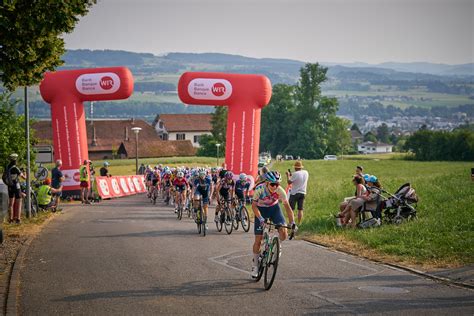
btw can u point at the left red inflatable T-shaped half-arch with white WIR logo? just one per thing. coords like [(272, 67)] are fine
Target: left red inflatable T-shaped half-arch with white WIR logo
[(65, 91)]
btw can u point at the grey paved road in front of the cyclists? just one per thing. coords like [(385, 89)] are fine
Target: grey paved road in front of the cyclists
[(128, 257)]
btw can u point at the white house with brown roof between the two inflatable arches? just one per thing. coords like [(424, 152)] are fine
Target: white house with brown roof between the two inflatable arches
[(183, 126)]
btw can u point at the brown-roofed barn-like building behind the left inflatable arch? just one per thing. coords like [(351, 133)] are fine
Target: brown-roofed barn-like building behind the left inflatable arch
[(114, 139)]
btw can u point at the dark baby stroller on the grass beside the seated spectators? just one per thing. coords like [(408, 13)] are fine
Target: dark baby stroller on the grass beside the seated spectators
[(399, 206)]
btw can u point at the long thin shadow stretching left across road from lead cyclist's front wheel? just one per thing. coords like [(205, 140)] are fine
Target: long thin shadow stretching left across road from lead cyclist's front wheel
[(206, 288)]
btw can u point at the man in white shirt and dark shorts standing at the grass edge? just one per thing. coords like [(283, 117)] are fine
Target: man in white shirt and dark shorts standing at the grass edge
[(299, 182)]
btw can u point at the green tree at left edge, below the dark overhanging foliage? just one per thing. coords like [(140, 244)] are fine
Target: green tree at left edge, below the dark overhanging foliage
[(12, 131)]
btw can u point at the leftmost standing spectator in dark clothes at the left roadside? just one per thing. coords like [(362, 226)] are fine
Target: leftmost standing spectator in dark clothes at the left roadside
[(14, 190)]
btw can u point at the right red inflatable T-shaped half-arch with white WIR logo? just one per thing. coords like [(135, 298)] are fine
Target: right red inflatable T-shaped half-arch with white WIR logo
[(245, 95)]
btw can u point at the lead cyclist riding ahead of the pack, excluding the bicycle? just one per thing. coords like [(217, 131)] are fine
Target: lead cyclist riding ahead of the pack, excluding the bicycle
[(265, 205)]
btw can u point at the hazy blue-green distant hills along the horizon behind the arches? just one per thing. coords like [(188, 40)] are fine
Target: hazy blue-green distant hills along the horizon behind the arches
[(156, 78)]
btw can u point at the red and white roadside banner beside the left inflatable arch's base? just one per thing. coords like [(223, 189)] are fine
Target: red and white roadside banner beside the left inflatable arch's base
[(117, 186)]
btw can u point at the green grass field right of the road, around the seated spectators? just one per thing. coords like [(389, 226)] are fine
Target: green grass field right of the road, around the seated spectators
[(443, 235)]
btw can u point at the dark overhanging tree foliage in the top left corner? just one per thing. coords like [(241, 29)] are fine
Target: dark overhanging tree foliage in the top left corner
[(30, 33)]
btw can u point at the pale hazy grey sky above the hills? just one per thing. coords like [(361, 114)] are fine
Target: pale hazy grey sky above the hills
[(339, 31)]
